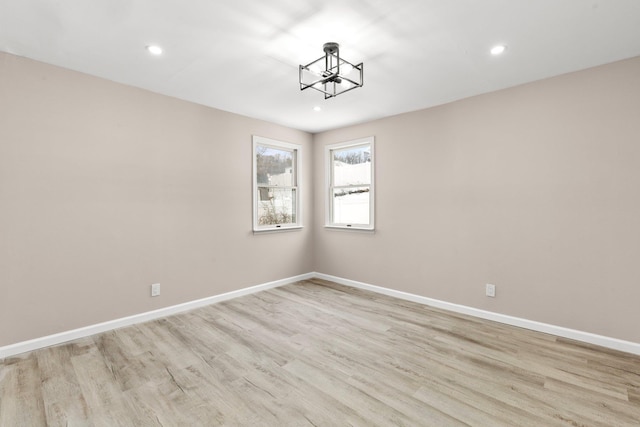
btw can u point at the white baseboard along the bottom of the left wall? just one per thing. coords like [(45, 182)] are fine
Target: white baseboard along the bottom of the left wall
[(23, 347)]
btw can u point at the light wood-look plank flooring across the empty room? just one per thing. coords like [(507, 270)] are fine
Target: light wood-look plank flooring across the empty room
[(315, 353)]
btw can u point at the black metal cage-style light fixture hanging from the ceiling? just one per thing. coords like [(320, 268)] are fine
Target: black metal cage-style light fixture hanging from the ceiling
[(331, 74)]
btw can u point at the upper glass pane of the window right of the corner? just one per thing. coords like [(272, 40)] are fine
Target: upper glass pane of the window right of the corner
[(352, 166)]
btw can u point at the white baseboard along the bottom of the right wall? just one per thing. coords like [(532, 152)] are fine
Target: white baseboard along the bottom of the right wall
[(613, 343)]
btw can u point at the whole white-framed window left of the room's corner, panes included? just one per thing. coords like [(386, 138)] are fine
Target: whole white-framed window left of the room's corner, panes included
[(276, 180)]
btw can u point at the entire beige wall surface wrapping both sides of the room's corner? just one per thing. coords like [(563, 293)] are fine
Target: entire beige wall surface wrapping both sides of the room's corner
[(105, 189)]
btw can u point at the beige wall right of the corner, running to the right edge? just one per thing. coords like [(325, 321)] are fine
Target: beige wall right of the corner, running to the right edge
[(535, 189)]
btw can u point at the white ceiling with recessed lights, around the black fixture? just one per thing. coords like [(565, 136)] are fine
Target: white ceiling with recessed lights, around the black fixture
[(243, 55)]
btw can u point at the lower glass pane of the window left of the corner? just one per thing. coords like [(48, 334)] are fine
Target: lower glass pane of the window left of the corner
[(276, 206)]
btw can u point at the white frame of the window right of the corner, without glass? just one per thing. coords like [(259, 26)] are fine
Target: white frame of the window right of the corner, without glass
[(329, 187)]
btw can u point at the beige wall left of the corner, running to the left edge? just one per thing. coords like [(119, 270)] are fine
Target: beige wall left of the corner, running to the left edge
[(106, 189)]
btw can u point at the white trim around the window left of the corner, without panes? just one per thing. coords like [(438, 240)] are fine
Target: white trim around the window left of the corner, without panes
[(297, 162)]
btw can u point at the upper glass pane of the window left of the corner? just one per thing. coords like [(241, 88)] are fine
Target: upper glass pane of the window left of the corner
[(274, 166)]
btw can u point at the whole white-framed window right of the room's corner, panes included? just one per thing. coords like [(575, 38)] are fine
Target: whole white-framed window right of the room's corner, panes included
[(350, 193)]
